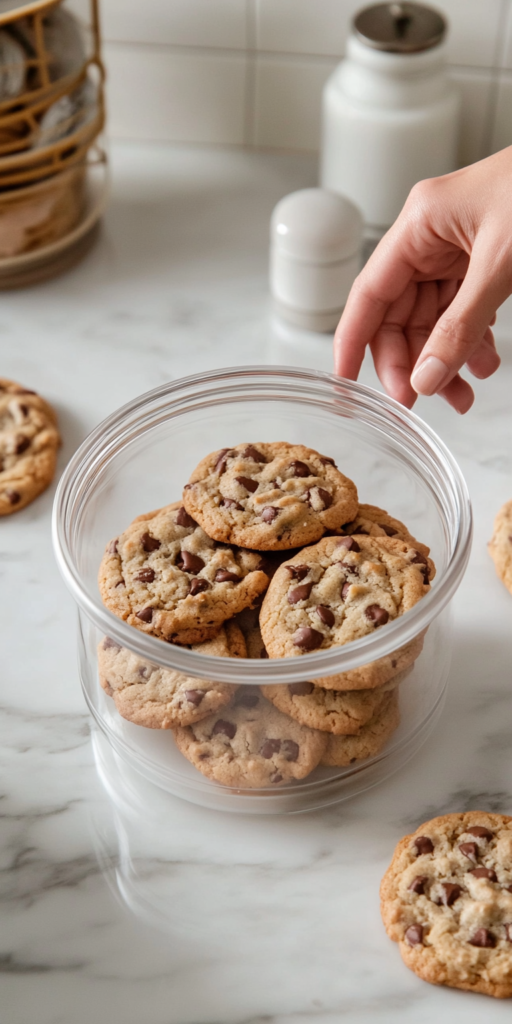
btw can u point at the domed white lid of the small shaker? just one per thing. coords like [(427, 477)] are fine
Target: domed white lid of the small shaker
[(317, 226)]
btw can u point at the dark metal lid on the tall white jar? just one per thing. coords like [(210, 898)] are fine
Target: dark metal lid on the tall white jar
[(400, 28)]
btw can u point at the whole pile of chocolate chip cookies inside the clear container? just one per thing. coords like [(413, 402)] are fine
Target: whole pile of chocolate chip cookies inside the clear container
[(269, 554)]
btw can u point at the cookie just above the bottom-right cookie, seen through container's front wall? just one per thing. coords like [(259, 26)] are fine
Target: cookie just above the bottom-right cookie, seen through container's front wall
[(339, 712)]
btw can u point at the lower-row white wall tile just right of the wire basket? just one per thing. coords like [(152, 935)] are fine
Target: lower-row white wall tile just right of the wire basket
[(157, 95)]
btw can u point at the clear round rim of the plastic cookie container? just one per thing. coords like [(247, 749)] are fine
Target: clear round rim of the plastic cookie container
[(264, 383)]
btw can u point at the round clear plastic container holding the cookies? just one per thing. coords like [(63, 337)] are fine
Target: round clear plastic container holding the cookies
[(140, 458)]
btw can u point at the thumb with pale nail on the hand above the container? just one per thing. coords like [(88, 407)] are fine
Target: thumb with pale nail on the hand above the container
[(459, 332)]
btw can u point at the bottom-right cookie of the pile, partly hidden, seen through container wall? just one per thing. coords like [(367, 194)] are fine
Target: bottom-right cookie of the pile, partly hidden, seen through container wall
[(345, 751)]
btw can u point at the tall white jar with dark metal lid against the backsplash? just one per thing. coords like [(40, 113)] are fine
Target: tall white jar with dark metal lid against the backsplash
[(391, 114)]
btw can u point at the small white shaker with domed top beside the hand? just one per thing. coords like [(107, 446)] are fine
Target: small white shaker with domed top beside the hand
[(316, 254)]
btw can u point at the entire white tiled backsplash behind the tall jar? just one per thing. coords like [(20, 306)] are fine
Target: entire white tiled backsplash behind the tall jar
[(264, 86)]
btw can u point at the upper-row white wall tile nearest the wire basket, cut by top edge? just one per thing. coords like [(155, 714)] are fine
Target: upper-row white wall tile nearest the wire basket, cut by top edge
[(179, 23)]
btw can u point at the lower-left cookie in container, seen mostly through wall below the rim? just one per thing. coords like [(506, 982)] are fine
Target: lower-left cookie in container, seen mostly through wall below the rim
[(160, 699)]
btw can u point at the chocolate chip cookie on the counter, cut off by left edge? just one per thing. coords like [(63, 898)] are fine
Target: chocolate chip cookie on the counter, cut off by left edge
[(29, 443)]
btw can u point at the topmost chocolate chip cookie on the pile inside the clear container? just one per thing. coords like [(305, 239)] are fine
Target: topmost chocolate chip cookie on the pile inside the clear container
[(270, 497)]
